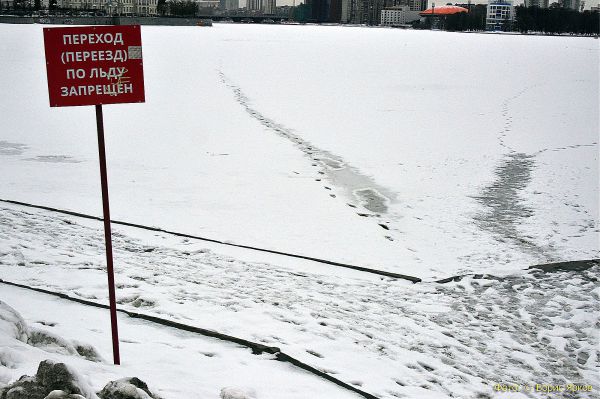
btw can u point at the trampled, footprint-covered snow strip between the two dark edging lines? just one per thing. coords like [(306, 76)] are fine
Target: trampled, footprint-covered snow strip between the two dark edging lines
[(388, 337)]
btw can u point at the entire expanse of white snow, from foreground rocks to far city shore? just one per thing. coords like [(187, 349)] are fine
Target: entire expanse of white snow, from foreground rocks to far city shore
[(430, 154)]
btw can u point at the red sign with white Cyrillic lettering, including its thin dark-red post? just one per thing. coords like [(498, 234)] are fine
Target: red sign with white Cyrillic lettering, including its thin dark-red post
[(96, 66)]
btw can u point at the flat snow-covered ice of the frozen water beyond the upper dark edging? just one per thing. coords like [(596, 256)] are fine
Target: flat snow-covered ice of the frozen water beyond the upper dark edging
[(476, 152)]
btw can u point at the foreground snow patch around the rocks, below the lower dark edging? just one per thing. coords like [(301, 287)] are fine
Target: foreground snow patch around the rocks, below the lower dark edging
[(175, 364)]
